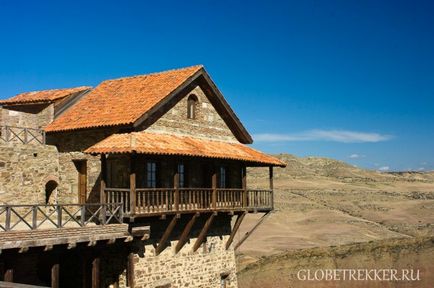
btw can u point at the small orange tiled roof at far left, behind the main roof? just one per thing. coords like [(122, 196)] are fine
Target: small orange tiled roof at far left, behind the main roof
[(42, 96)]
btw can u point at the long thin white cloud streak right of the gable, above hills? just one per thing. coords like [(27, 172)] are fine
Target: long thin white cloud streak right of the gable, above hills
[(343, 136)]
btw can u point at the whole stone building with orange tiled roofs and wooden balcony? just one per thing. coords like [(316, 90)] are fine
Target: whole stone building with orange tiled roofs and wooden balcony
[(138, 182)]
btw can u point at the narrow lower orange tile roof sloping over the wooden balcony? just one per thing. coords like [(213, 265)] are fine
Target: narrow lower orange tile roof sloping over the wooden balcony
[(164, 144)]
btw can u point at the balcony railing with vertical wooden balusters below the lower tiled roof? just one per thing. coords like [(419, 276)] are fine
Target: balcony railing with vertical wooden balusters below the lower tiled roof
[(162, 200)]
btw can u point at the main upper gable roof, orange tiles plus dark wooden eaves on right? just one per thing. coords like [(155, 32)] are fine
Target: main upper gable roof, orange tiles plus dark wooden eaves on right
[(130, 101)]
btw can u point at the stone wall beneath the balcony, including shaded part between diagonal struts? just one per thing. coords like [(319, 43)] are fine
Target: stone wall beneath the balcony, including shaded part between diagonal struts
[(203, 268)]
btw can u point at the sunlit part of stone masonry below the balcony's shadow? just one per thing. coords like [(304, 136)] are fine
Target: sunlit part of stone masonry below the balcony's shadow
[(203, 268)]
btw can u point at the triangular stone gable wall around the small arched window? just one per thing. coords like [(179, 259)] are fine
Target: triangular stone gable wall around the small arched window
[(207, 123)]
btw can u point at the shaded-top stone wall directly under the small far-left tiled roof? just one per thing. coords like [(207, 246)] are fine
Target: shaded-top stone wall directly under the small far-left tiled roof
[(29, 116)]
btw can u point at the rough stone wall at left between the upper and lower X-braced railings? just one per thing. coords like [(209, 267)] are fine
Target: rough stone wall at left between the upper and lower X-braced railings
[(24, 172)]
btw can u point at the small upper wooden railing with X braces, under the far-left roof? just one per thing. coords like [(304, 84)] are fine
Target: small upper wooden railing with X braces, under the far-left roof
[(22, 135)]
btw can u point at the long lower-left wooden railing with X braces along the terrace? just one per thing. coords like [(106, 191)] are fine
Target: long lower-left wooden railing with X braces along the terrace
[(31, 217)]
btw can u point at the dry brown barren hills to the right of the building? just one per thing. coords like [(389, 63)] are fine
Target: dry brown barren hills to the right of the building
[(325, 208)]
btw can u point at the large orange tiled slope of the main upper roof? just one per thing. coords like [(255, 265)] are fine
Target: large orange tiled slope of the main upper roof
[(121, 101)]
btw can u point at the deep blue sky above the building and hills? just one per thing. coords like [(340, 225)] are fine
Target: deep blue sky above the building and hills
[(351, 80)]
